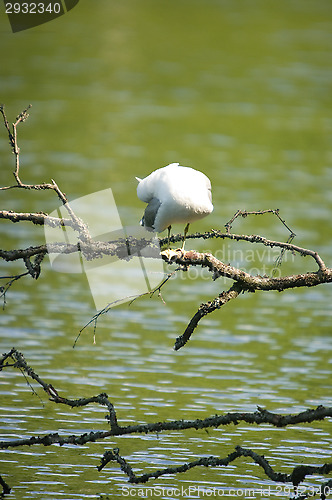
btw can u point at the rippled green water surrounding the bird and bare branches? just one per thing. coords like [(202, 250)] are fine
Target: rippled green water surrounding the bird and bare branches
[(241, 91)]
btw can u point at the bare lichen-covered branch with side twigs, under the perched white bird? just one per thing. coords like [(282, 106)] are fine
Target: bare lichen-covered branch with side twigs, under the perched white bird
[(91, 249)]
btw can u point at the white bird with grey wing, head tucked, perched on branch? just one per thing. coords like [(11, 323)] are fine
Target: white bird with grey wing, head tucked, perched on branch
[(174, 194)]
